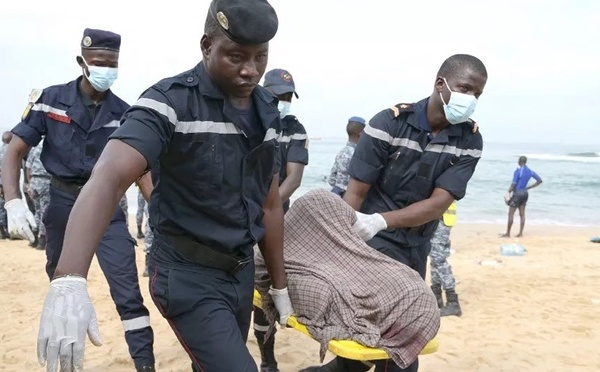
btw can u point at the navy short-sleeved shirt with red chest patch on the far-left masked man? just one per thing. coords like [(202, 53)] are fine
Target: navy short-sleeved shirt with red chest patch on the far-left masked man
[(73, 140)]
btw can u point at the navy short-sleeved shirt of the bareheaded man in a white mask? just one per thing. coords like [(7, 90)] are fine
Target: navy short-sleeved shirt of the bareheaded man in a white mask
[(404, 163)]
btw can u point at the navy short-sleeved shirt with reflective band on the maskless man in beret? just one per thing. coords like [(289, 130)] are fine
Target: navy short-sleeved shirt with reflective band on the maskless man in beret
[(211, 168)]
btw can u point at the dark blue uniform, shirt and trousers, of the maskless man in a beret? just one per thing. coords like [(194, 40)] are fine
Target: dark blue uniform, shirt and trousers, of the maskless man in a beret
[(216, 166)]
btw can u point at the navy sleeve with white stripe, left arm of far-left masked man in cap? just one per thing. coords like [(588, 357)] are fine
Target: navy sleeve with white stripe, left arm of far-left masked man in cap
[(33, 124)]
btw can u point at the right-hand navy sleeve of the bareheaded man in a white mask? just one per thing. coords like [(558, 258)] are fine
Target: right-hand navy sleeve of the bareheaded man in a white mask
[(455, 179)]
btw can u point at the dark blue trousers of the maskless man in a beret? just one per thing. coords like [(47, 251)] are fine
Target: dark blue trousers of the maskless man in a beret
[(209, 311)]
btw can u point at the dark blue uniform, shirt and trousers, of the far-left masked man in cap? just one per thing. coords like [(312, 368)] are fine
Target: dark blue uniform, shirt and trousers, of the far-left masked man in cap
[(75, 134)]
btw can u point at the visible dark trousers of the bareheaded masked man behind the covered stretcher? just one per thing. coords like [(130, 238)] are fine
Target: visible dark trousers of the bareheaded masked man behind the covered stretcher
[(416, 259)]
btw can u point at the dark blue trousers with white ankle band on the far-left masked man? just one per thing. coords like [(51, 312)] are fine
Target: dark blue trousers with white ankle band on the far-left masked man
[(116, 256)]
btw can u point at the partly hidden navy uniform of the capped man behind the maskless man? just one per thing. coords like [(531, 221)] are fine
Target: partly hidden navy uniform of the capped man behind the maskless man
[(294, 147)]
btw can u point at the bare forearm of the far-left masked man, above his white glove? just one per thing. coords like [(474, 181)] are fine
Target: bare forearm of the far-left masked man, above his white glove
[(11, 167)]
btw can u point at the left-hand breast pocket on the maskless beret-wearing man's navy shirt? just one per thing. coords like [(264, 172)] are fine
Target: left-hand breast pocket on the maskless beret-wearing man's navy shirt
[(203, 150)]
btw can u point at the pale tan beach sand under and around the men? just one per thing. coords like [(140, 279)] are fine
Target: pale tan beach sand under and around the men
[(539, 312)]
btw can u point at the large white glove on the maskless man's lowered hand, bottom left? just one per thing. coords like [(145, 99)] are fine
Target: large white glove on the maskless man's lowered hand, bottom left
[(67, 315)]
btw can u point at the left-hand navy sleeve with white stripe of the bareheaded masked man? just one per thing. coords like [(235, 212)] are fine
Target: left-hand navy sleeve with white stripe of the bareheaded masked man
[(372, 151)]
